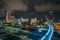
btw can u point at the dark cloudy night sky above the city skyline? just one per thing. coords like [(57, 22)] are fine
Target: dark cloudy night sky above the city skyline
[(31, 8)]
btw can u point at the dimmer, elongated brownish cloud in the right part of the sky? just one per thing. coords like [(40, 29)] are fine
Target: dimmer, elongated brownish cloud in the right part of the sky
[(46, 7)]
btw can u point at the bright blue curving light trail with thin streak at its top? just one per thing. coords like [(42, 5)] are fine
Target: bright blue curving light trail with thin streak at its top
[(49, 34)]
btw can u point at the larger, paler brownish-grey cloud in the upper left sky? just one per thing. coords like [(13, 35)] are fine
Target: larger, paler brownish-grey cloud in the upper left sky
[(16, 5)]
